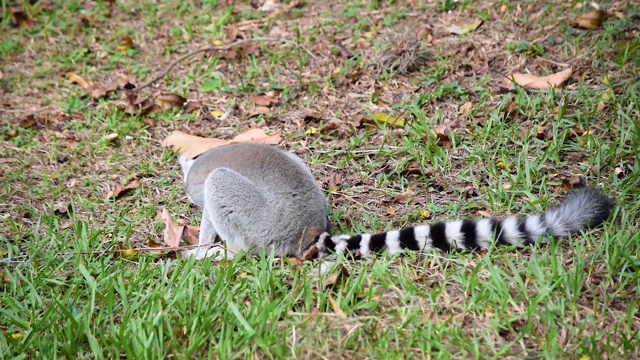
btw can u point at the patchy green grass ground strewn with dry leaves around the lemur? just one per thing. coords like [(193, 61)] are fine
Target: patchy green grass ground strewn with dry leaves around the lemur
[(65, 293)]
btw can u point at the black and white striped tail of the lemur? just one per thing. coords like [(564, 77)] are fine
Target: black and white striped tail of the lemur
[(583, 208)]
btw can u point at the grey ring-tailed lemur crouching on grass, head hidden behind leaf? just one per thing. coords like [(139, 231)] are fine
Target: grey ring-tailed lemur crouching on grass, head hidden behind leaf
[(259, 197)]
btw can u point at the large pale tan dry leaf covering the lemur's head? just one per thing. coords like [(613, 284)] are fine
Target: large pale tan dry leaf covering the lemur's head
[(192, 146)]
